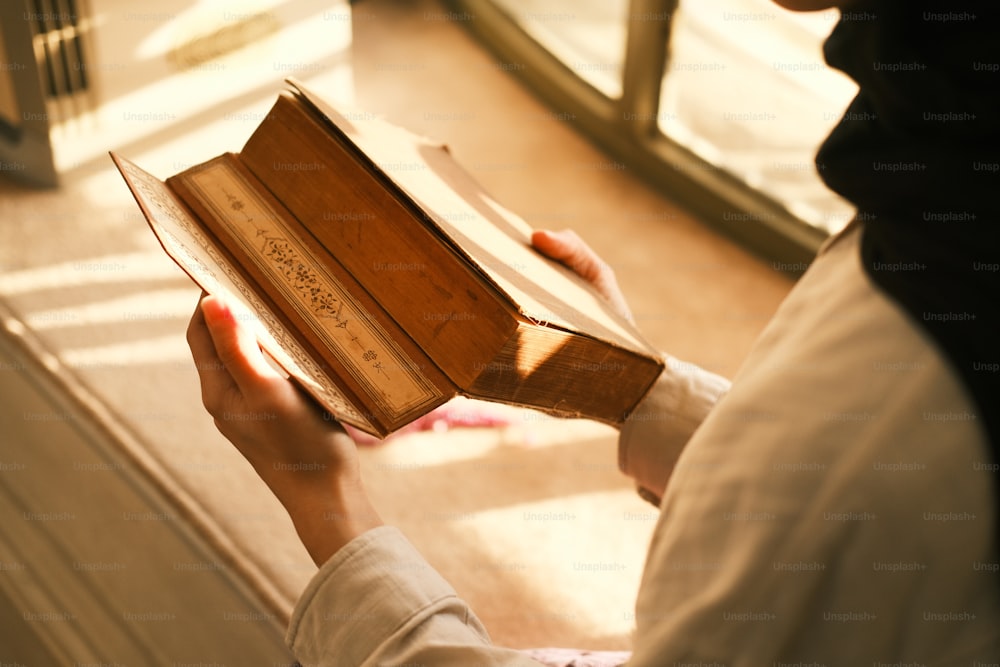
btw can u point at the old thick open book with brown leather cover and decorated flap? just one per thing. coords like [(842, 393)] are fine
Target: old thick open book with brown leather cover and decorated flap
[(382, 278)]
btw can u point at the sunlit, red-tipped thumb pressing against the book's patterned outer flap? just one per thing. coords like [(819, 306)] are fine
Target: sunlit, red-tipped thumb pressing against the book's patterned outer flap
[(236, 347)]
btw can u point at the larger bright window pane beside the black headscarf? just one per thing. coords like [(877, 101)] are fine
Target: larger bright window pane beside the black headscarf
[(747, 89)]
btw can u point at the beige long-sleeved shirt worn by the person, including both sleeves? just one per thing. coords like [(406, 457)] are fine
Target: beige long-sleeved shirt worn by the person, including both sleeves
[(831, 507)]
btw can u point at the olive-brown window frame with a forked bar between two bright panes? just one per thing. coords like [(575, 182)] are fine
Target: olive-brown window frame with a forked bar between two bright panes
[(626, 127)]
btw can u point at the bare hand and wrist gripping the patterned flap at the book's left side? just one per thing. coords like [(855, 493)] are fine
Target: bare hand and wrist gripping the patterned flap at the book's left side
[(305, 457)]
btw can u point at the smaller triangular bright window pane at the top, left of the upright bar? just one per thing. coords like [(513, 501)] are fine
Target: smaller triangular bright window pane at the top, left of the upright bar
[(588, 36)]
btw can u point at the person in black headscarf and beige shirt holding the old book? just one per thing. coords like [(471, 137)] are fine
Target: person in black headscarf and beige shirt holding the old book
[(836, 503)]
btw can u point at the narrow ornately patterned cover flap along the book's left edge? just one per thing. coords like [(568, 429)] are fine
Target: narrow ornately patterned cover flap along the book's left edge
[(192, 250)]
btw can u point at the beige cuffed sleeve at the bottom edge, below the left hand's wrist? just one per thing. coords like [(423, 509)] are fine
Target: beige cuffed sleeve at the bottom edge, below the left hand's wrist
[(378, 602)]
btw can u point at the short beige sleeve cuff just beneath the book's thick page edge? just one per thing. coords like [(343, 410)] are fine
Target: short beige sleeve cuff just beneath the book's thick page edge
[(656, 432)]
